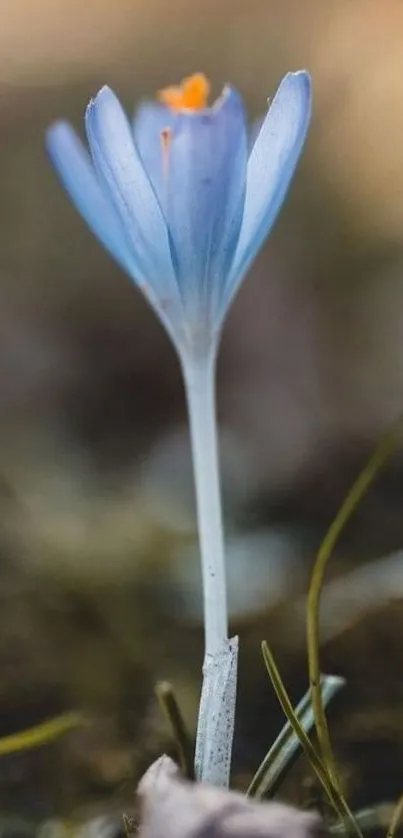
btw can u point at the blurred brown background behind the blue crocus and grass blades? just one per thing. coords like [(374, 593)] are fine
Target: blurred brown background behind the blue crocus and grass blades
[(97, 545)]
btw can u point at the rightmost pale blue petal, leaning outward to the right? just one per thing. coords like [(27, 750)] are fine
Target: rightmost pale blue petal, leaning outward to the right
[(271, 165)]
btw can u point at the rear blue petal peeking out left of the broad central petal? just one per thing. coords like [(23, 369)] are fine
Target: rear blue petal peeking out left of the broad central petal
[(151, 118)]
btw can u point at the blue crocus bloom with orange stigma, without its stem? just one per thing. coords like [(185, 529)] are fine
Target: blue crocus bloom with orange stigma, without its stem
[(179, 198)]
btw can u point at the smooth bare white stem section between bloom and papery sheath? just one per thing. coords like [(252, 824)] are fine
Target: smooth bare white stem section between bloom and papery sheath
[(200, 392)]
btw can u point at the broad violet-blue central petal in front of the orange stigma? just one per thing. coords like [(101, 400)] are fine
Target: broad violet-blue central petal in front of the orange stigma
[(205, 196)]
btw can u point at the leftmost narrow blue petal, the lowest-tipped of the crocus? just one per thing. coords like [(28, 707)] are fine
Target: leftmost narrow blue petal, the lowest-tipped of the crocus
[(77, 174)]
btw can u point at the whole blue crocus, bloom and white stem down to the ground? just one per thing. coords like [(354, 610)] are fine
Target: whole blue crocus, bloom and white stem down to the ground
[(184, 199)]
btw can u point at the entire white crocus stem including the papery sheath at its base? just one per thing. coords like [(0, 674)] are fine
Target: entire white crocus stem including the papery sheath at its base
[(217, 705)]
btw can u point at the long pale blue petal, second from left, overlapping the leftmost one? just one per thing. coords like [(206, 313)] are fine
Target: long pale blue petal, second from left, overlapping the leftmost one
[(126, 182)]
